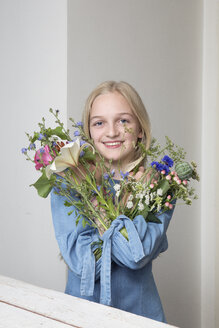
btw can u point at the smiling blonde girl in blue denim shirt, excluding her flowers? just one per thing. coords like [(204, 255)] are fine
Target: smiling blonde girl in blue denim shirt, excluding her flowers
[(115, 118)]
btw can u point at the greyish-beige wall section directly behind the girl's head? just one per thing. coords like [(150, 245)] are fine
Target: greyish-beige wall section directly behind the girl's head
[(157, 47)]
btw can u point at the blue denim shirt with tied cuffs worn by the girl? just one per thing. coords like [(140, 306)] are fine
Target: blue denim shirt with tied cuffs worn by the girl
[(122, 277)]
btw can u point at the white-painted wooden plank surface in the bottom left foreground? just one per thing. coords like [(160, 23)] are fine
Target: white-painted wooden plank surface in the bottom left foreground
[(24, 305)]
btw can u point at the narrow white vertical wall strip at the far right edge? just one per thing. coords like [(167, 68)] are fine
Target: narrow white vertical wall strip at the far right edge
[(210, 176)]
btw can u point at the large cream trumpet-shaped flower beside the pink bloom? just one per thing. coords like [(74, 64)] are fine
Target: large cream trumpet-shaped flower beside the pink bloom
[(69, 157)]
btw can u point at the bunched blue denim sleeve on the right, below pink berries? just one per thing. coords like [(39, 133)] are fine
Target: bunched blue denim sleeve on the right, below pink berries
[(146, 240)]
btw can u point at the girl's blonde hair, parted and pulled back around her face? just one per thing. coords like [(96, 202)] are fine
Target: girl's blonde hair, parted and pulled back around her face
[(134, 101)]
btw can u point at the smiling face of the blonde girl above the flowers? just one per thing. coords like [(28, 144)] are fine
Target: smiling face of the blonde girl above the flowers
[(114, 128)]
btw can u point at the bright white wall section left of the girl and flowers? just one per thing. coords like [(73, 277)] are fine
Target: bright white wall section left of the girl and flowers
[(33, 78)]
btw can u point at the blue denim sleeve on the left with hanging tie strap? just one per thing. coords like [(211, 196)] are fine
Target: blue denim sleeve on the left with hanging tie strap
[(76, 243)]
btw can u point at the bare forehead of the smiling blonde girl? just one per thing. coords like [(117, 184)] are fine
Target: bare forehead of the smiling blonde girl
[(112, 102)]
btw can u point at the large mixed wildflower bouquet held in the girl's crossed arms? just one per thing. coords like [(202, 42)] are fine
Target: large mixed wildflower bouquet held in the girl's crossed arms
[(73, 168)]
